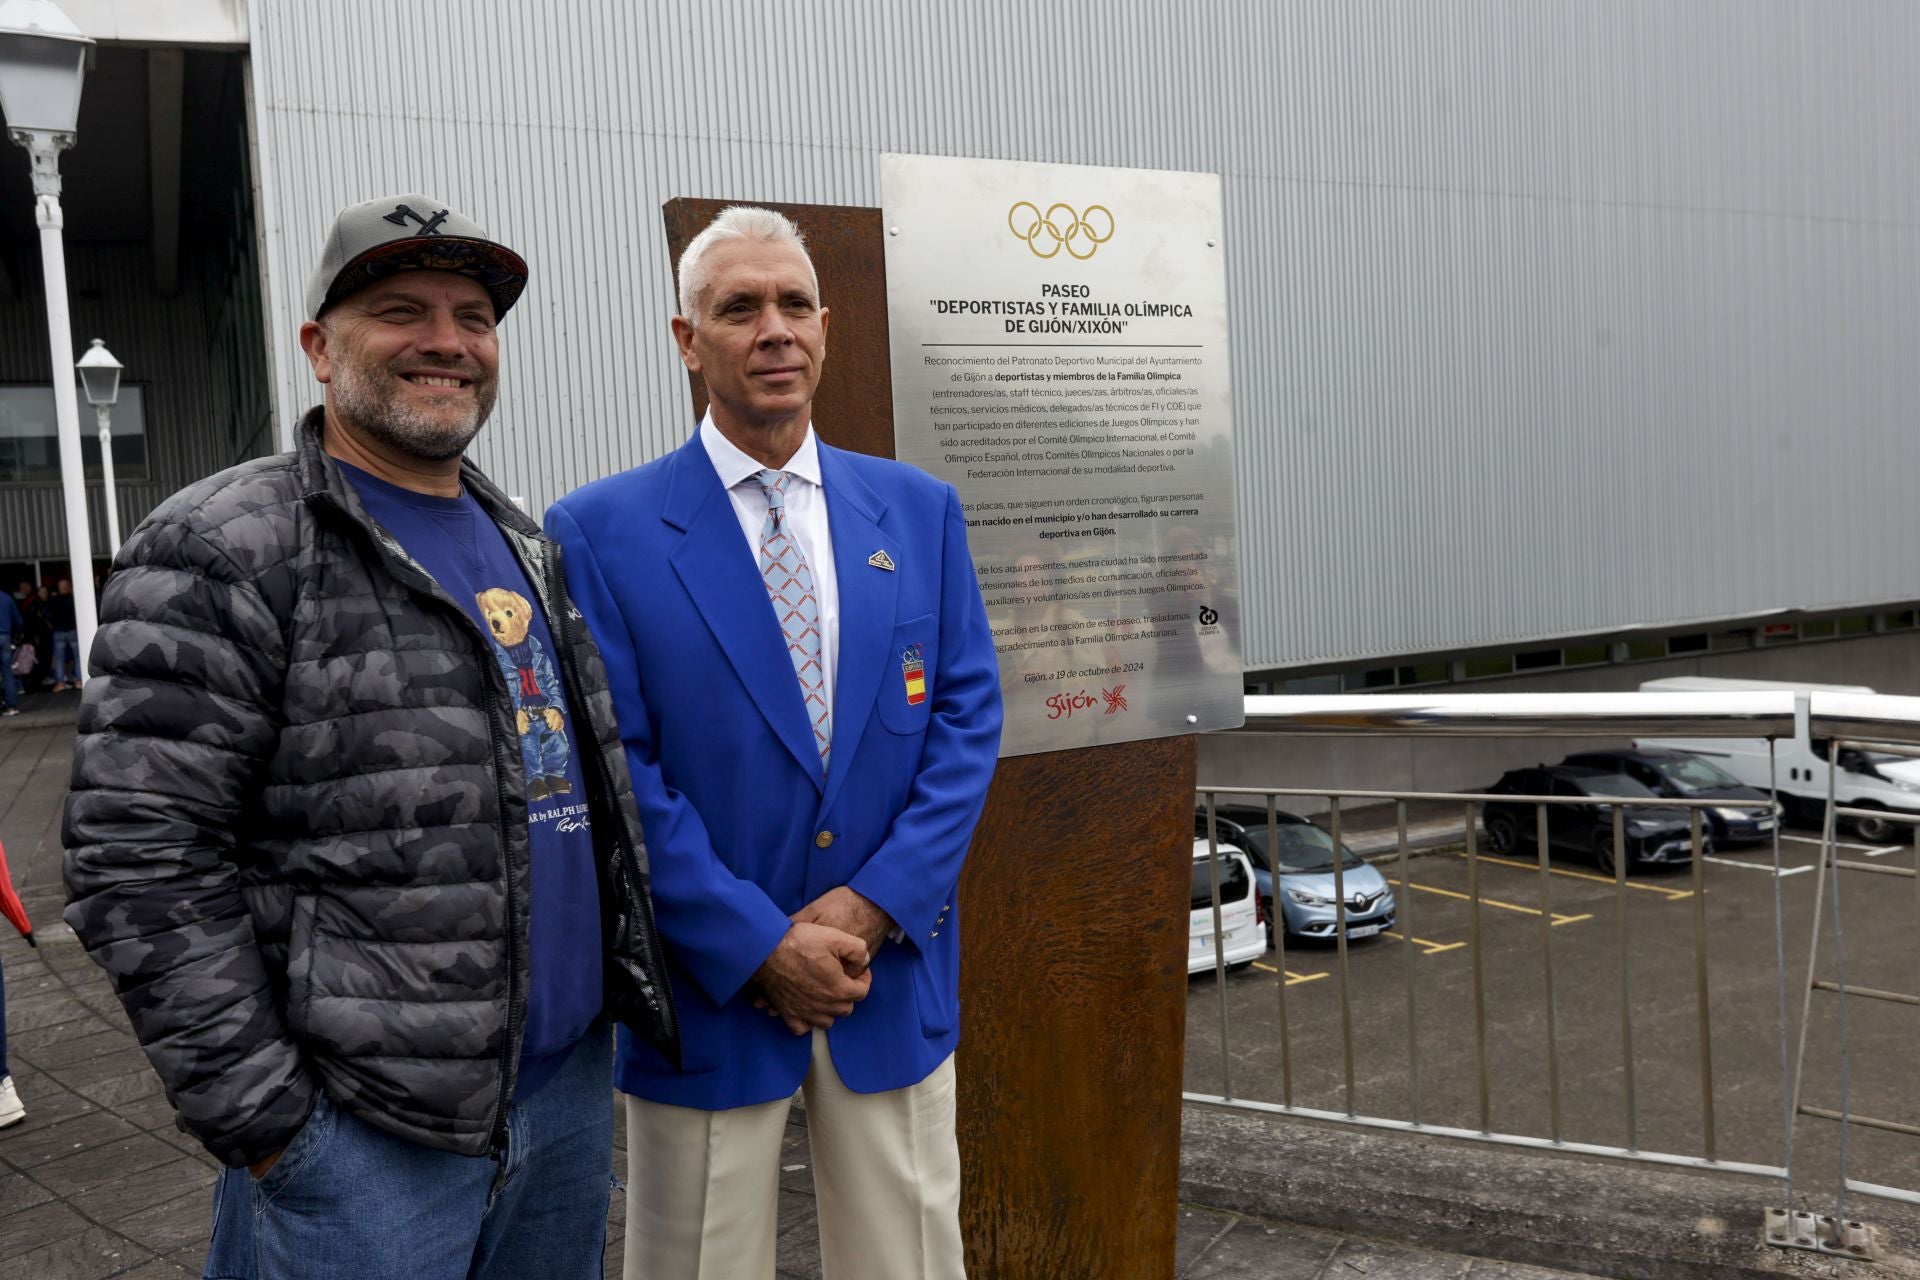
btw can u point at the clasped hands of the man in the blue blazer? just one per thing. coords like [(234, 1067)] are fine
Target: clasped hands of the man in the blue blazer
[(821, 968)]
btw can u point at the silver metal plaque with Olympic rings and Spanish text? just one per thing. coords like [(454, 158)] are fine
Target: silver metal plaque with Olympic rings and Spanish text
[(1061, 358)]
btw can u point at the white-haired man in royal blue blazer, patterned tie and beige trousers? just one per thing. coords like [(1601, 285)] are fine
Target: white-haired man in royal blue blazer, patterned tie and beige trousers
[(809, 696)]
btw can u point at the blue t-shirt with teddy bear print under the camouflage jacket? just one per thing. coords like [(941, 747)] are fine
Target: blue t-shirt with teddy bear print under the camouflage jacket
[(460, 546)]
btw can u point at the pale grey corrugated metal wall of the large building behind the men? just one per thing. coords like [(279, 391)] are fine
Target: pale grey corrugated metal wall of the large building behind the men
[(1550, 318)]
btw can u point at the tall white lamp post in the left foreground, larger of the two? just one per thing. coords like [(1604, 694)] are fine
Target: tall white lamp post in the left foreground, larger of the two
[(43, 62)]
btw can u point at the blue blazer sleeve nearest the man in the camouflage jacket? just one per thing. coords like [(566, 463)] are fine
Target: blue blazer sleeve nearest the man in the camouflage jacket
[(721, 926)]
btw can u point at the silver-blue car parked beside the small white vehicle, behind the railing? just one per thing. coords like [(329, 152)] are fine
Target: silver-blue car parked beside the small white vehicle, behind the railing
[(1307, 901)]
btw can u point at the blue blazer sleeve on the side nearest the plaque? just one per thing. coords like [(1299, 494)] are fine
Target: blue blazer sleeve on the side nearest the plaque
[(917, 868)]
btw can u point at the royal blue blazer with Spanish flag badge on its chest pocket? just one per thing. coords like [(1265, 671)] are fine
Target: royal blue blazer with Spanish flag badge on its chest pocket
[(742, 824)]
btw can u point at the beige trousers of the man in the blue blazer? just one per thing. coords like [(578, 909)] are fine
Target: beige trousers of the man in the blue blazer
[(704, 1187)]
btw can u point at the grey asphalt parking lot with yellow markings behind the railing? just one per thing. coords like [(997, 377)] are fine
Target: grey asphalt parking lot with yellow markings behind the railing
[(1581, 916)]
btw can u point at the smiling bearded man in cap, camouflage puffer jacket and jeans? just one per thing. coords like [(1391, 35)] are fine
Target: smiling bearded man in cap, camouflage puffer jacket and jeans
[(300, 836)]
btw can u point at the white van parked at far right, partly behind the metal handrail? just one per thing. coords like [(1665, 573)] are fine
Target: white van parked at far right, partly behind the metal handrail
[(1863, 780)]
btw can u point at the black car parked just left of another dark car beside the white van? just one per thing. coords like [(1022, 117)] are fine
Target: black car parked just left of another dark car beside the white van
[(1656, 836)]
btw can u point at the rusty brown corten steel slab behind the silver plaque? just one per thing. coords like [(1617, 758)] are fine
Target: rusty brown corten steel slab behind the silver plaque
[(1074, 968)]
